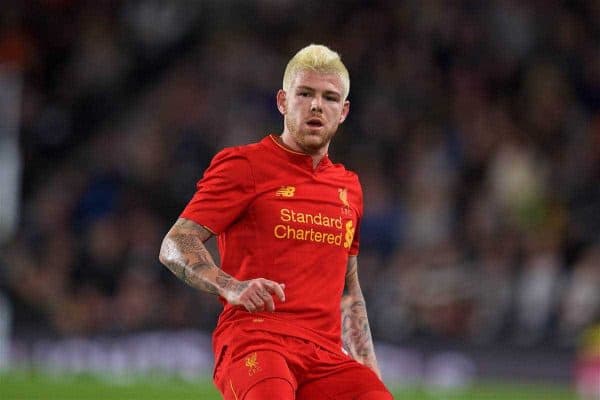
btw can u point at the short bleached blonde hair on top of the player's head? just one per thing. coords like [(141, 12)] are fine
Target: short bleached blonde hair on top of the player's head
[(319, 58)]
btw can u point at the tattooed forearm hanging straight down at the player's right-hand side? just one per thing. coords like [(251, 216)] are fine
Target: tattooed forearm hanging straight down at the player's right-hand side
[(356, 334)]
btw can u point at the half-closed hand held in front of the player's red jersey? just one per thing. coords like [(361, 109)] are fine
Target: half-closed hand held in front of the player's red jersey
[(256, 294)]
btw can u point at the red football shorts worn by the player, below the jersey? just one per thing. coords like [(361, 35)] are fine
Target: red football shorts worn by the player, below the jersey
[(313, 372)]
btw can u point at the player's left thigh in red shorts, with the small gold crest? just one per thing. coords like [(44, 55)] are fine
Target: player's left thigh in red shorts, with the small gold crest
[(242, 374)]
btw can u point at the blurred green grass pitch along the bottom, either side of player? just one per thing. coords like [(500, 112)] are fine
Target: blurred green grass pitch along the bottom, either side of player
[(31, 386)]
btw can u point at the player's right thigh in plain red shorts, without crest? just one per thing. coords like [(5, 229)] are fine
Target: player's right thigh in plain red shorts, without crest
[(356, 382)]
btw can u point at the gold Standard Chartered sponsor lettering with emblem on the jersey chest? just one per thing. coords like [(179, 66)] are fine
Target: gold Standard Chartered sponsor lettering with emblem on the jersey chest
[(314, 228)]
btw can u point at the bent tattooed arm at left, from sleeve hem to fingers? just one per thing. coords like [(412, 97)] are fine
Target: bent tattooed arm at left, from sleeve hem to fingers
[(183, 252)]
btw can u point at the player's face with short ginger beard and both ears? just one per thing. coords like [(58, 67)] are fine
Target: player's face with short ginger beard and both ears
[(313, 108)]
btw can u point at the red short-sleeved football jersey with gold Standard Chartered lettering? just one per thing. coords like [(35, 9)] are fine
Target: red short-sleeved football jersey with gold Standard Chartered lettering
[(278, 218)]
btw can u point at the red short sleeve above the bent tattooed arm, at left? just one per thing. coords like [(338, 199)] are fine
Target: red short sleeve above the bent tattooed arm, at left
[(223, 193)]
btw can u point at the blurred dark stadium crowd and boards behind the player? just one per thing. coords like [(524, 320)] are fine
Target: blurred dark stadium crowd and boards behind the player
[(475, 128)]
